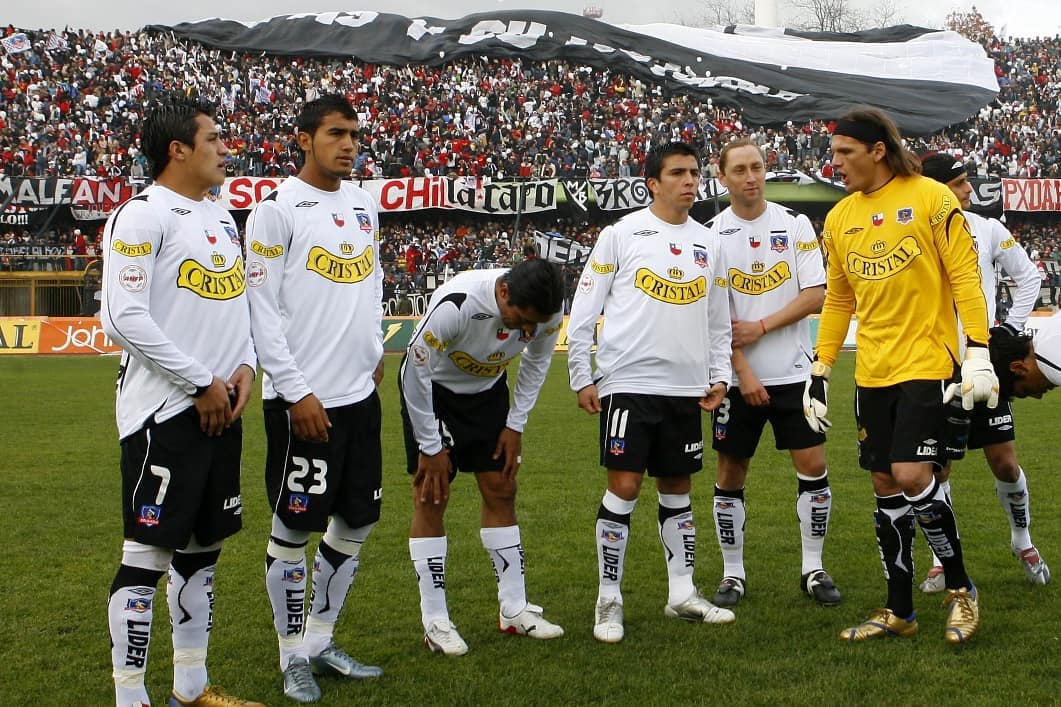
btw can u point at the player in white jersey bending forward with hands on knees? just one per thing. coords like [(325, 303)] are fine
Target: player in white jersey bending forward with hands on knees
[(457, 418)]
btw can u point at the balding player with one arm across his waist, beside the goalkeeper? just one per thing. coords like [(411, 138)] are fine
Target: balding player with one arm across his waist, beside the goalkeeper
[(776, 278)]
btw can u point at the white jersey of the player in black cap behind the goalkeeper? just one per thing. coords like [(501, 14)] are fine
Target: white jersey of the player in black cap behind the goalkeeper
[(996, 247)]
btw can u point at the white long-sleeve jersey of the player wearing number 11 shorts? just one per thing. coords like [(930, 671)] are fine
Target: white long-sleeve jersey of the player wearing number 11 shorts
[(667, 322)]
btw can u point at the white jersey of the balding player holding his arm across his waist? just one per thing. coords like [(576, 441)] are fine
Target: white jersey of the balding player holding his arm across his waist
[(769, 262)]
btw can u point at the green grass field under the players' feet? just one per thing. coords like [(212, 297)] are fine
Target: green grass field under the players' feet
[(62, 540)]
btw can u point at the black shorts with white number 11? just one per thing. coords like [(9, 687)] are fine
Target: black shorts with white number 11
[(655, 434)]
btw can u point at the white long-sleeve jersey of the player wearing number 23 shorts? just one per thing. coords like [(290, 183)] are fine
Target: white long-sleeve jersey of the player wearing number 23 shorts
[(317, 292)]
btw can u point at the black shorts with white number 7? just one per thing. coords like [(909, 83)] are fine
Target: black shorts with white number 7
[(178, 481)]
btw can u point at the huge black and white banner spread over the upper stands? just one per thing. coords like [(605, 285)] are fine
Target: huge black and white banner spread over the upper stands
[(927, 79)]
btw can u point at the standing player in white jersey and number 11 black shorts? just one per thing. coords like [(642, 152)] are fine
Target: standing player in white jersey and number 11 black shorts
[(664, 355)]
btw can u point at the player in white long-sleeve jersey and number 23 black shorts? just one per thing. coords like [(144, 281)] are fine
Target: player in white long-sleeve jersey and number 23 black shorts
[(317, 292)]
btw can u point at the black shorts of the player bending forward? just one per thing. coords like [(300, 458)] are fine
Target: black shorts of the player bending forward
[(469, 424)]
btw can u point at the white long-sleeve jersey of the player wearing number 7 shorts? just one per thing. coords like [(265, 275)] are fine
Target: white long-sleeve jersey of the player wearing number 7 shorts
[(173, 299)]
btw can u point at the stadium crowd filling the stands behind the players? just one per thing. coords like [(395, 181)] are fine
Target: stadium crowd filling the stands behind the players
[(73, 106)]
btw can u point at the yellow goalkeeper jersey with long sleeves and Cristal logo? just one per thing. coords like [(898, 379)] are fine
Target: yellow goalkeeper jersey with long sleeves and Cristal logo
[(903, 262)]
